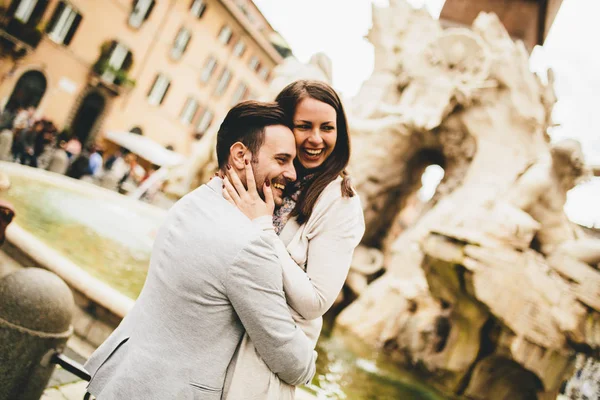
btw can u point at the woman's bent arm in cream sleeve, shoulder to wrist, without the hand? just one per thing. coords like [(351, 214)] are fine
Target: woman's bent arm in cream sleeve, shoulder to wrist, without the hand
[(330, 250)]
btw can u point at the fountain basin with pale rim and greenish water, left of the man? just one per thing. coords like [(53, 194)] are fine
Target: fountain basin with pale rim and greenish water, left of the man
[(83, 232)]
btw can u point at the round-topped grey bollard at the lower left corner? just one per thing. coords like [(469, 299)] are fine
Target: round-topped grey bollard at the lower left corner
[(36, 308)]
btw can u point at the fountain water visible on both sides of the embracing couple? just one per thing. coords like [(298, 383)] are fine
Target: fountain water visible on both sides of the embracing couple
[(113, 243)]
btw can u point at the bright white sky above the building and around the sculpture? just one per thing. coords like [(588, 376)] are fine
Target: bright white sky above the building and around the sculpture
[(338, 28)]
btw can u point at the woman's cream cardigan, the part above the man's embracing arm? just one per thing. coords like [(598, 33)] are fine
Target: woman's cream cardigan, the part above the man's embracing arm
[(316, 256)]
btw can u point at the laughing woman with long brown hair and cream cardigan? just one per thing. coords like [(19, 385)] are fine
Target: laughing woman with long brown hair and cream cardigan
[(315, 230)]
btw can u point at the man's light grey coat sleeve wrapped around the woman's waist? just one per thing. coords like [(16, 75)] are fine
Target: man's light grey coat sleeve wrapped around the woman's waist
[(255, 288)]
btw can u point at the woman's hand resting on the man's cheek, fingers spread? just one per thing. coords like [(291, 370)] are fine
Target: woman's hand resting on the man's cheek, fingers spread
[(248, 200)]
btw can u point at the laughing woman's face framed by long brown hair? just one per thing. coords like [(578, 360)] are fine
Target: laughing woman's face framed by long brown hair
[(315, 129)]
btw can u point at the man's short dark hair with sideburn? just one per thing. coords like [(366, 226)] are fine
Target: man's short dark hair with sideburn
[(246, 123)]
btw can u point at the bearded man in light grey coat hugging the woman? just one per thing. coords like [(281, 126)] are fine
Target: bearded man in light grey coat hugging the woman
[(212, 276)]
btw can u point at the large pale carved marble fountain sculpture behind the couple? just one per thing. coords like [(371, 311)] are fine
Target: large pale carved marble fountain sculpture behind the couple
[(492, 291)]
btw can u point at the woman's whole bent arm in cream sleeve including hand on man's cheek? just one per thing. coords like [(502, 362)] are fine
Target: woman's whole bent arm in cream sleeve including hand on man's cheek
[(337, 228)]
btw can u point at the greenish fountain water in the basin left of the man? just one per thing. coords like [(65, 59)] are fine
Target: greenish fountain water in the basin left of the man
[(108, 241)]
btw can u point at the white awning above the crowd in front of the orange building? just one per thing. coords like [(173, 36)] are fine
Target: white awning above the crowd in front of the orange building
[(146, 148)]
